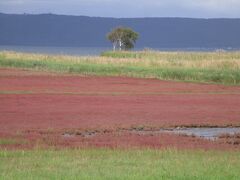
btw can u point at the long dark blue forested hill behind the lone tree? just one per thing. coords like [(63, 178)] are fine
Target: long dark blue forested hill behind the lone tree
[(61, 30)]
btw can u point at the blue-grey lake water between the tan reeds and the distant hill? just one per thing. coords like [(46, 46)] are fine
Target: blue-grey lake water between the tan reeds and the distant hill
[(92, 51)]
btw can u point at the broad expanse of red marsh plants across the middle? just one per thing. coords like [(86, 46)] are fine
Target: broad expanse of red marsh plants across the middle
[(42, 101)]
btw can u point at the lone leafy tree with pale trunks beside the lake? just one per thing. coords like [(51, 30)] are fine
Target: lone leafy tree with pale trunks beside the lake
[(122, 38)]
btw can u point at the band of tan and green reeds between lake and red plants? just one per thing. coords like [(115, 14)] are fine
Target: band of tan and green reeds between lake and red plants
[(214, 67)]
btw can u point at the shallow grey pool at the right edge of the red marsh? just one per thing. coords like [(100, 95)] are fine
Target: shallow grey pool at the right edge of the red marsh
[(206, 133)]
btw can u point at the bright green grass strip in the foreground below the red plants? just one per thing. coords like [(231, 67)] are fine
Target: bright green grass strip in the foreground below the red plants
[(119, 164)]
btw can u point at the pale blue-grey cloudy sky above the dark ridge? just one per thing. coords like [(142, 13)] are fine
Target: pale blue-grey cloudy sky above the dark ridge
[(127, 8)]
